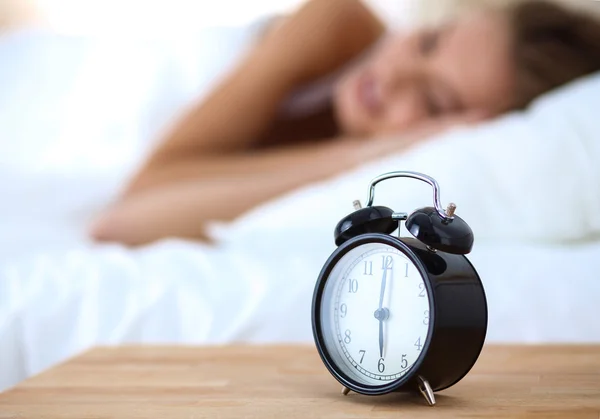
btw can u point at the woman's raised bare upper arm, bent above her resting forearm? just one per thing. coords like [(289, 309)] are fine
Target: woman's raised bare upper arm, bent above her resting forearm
[(322, 36)]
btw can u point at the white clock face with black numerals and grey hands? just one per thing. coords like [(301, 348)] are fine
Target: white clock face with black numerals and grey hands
[(375, 314)]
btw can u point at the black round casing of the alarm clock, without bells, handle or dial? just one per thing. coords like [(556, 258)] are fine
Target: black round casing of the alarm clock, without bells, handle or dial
[(458, 318)]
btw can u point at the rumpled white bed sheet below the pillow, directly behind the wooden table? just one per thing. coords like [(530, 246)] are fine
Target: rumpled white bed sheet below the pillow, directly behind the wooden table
[(55, 304)]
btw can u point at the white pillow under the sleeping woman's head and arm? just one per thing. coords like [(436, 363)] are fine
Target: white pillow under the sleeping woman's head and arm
[(529, 176)]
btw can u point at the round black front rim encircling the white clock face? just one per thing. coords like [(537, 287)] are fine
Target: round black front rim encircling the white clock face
[(319, 340)]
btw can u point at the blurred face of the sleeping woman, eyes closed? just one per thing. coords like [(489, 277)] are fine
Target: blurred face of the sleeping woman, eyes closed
[(462, 67)]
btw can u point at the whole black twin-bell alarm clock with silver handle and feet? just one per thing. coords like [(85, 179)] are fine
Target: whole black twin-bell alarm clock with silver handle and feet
[(400, 314)]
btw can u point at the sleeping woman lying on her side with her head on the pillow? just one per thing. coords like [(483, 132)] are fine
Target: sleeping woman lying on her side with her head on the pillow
[(328, 89)]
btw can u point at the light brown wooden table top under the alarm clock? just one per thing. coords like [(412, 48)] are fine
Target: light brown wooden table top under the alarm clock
[(291, 382)]
